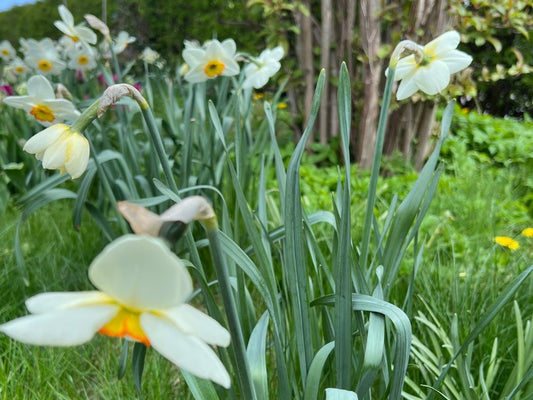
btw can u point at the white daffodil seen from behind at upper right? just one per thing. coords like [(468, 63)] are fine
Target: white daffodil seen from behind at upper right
[(429, 69)]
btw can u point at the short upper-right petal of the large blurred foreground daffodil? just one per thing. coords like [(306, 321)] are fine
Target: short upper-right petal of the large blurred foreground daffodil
[(194, 322)]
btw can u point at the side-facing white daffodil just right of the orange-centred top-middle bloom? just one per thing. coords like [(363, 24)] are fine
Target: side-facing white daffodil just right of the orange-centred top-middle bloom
[(260, 69)]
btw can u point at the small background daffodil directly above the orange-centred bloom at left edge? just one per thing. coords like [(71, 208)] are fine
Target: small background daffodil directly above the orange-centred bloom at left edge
[(44, 58)]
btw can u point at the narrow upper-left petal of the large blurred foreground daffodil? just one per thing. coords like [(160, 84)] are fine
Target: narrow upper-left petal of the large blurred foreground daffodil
[(46, 302)]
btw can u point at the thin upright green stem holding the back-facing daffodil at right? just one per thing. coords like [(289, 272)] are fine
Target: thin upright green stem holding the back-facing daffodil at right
[(374, 174)]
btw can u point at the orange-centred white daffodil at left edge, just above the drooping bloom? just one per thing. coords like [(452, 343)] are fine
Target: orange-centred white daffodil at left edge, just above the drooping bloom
[(41, 103)]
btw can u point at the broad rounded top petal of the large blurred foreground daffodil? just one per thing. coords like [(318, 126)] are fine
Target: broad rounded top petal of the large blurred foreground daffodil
[(142, 273)]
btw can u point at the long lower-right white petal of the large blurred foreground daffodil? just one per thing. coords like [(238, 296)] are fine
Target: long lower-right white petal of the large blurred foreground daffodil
[(187, 352)]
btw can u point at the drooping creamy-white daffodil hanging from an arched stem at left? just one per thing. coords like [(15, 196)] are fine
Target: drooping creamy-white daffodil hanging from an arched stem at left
[(59, 147)]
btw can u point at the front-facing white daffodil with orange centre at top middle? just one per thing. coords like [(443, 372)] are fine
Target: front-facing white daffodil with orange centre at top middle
[(213, 60)]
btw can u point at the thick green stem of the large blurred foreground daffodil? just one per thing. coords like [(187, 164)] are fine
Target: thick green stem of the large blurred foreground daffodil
[(242, 368)]
